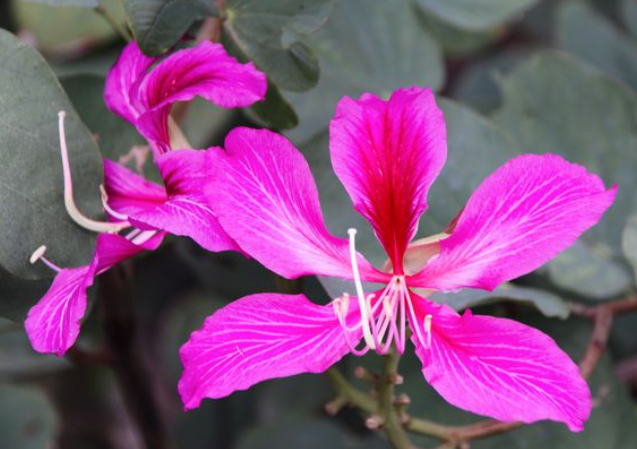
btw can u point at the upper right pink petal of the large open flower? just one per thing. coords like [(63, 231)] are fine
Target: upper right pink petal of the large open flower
[(524, 214)]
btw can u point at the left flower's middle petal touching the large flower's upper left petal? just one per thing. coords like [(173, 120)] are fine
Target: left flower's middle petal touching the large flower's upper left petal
[(186, 211)]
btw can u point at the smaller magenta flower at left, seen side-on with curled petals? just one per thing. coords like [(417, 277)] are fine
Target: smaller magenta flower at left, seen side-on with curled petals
[(141, 210)]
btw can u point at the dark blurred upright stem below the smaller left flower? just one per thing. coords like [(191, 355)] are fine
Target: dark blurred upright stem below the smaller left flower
[(133, 374)]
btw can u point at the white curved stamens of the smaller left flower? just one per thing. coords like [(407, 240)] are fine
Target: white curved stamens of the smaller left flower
[(136, 236)]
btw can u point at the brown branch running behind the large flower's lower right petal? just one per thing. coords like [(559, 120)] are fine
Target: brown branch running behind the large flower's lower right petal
[(458, 436)]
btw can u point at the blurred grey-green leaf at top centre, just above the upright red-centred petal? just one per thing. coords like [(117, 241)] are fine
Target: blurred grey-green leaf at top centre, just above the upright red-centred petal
[(365, 47)]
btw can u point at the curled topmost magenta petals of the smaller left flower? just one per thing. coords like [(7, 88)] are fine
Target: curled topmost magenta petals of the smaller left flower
[(143, 94)]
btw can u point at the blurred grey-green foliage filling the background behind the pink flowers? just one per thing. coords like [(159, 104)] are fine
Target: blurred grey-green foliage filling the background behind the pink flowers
[(512, 76)]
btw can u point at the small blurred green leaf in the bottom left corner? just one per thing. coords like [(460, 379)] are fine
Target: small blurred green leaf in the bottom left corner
[(27, 419)]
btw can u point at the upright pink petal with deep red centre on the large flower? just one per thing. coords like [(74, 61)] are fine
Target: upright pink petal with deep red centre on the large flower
[(387, 154)]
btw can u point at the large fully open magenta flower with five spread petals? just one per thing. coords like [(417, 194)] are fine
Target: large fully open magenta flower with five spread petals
[(387, 154)]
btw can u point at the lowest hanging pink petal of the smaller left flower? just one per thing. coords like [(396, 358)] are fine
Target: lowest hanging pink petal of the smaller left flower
[(53, 324)]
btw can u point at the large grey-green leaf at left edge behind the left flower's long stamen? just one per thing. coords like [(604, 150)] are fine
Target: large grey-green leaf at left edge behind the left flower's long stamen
[(31, 185)]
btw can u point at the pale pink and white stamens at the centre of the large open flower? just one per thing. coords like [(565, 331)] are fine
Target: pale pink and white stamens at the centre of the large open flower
[(382, 316)]
